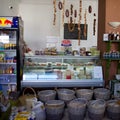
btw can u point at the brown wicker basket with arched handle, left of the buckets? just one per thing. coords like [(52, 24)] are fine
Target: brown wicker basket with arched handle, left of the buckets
[(24, 96)]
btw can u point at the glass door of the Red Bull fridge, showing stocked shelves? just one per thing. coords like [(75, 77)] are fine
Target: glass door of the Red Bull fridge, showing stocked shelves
[(8, 61)]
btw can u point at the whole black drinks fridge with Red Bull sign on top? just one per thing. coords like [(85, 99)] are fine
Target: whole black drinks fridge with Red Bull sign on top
[(11, 57)]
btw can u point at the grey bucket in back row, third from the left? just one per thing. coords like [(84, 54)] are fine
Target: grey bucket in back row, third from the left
[(84, 93)]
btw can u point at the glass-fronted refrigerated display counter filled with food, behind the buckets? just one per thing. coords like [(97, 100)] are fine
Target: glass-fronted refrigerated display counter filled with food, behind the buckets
[(62, 71)]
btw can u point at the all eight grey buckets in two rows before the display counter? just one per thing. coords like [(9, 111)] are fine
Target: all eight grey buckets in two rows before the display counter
[(96, 103)]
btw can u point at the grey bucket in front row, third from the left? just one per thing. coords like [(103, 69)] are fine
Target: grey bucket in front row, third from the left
[(96, 109)]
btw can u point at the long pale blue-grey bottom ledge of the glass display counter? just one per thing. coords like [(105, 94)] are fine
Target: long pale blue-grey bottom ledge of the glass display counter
[(63, 83)]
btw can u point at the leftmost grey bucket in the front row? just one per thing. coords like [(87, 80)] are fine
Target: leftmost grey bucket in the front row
[(54, 109)]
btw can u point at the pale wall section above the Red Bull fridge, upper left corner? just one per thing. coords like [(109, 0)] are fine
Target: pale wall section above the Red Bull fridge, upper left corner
[(5, 9)]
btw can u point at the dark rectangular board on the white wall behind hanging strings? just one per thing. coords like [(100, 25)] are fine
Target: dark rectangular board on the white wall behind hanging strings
[(74, 33)]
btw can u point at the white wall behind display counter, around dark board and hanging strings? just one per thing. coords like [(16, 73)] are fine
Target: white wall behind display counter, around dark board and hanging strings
[(38, 22)]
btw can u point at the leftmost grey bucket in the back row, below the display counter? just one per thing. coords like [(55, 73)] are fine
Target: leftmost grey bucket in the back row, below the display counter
[(46, 95)]
